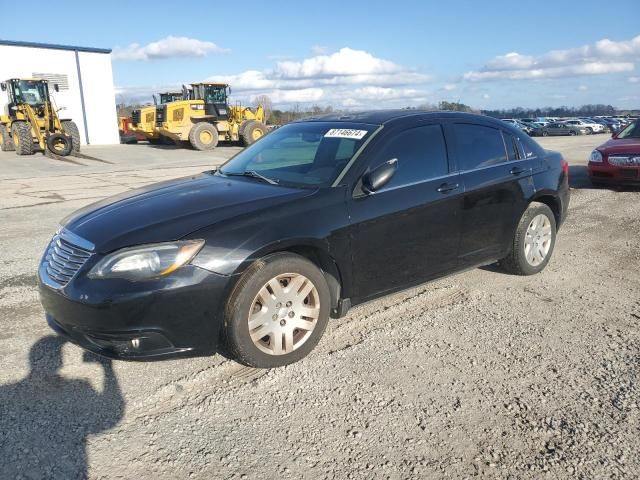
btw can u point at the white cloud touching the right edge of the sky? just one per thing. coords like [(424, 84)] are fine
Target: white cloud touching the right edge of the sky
[(602, 57)]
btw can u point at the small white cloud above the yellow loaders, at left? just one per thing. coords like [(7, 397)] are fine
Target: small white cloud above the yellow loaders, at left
[(167, 47)]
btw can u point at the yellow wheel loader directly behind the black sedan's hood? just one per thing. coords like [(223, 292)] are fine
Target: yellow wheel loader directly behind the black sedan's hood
[(207, 118)]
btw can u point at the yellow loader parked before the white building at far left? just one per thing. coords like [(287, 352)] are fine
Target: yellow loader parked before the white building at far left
[(30, 121)]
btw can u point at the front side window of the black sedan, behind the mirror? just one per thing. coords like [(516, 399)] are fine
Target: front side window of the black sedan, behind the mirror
[(421, 154)]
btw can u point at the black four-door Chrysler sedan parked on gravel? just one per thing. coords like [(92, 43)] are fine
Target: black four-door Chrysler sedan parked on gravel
[(316, 217)]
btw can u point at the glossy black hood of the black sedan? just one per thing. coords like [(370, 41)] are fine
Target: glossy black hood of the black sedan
[(170, 210)]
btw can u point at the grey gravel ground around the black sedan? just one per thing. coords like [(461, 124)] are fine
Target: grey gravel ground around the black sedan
[(478, 374)]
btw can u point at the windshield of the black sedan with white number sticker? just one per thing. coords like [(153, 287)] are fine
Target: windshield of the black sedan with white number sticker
[(306, 154)]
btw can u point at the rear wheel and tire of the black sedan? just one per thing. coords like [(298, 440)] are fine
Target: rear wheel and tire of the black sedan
[(517, 262)]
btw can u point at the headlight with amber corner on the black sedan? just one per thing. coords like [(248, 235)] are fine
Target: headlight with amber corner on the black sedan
[(147, 261)]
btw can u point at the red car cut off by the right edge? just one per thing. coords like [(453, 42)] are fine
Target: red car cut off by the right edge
[(618, 160)]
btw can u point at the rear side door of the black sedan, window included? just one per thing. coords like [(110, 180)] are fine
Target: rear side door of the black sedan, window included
[(497, 179)]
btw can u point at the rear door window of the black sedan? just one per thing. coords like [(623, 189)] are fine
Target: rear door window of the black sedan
[(478, 146)]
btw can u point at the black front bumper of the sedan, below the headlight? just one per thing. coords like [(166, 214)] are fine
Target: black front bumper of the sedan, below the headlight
[(177, 315)]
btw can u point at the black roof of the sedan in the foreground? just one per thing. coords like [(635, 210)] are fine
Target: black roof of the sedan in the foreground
[(383, 117)]
